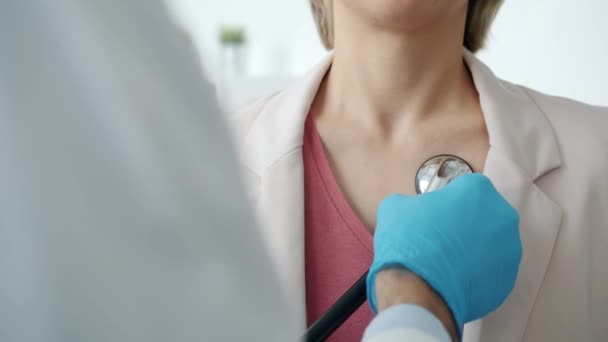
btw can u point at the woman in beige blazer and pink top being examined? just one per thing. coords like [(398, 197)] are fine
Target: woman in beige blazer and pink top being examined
[(402, 85)]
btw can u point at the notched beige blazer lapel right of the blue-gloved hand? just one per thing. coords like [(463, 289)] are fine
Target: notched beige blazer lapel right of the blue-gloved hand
[(523, 148)]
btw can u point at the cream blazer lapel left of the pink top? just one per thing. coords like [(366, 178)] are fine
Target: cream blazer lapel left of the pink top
[(272, 151)]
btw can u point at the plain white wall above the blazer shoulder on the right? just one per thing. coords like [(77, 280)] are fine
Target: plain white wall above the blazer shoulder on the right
[(556, 46)]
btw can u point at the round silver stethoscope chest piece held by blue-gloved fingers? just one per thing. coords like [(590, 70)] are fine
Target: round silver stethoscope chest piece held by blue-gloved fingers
[(439, 171)]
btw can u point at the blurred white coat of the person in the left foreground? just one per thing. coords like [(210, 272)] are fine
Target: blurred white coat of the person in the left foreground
[(120, 215)]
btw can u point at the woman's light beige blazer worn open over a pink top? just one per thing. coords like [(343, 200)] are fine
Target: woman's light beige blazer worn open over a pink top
[(548, 156)]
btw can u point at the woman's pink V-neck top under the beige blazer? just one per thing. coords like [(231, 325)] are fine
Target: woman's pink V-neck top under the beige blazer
[(338, 246)]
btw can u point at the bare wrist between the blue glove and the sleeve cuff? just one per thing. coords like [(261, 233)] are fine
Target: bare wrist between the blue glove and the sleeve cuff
[(399, 286)]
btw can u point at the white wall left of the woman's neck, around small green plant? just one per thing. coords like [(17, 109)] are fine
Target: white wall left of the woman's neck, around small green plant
[(281, 33)]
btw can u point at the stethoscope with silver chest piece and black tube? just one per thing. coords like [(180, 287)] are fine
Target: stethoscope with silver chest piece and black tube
[(433, 174)]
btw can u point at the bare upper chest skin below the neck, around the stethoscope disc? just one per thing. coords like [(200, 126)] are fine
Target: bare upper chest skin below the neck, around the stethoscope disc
[(368, 169)]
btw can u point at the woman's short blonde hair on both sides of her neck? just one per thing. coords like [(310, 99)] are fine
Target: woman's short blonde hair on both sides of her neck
[(480, 15)]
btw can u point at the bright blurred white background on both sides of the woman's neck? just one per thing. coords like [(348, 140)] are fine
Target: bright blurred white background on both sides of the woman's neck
[(251, 48)]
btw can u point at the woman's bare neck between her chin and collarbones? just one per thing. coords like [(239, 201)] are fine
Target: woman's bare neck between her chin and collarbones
[(385, 77)]
